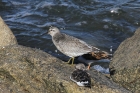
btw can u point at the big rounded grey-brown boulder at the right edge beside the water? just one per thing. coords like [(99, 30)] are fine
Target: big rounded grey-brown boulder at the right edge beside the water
[(125, 66)]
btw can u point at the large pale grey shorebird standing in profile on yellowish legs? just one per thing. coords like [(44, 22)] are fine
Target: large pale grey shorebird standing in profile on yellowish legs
[(69, 45)]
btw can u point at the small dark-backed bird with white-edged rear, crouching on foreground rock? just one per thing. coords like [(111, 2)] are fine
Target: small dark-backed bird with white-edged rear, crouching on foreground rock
[(80, 76)]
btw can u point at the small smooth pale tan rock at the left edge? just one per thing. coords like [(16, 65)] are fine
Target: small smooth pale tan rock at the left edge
[(6, 35)]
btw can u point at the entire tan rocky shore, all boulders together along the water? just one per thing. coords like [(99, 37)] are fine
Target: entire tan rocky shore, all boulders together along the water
[(28, 70)]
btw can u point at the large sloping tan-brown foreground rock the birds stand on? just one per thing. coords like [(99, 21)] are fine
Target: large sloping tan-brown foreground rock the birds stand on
[(28, 70)]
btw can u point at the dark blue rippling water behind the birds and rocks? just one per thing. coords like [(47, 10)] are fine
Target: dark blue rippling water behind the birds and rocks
[(101, 23)]
